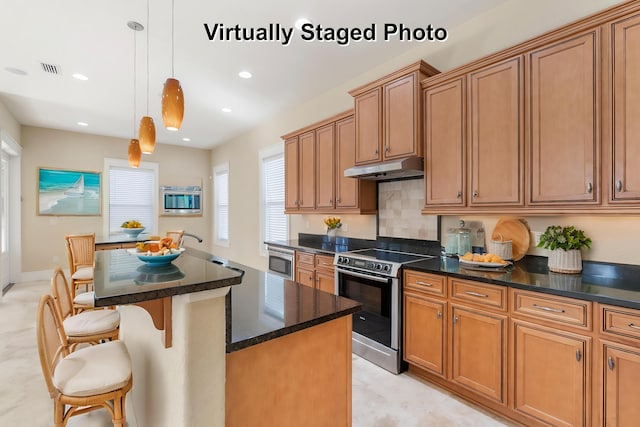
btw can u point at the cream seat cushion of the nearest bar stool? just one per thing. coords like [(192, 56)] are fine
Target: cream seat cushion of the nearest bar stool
[(93, 370)]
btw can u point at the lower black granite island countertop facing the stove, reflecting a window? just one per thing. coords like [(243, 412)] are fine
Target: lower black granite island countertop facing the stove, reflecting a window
[(266, 306)]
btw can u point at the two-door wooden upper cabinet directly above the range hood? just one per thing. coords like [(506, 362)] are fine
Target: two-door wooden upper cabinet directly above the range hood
[(388, 115)]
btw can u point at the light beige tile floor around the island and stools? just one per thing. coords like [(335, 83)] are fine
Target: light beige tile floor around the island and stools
[(380, 399)]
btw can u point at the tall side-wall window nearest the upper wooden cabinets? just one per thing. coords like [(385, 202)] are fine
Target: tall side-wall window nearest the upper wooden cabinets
[(274, 223)]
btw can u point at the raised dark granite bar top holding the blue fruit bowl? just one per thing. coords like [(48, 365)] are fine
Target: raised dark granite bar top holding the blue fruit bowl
[(121, 278)]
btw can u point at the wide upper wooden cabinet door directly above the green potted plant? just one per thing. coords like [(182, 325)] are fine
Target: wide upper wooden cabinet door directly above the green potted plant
[(563, 90)]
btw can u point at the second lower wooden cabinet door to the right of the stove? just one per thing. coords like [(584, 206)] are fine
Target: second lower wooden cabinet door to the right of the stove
[(478, 350)]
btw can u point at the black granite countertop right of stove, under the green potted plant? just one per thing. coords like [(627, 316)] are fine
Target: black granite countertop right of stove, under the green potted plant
[(616, 284)]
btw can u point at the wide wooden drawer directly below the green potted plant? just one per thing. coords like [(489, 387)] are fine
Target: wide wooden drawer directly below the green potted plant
[(560, 310)]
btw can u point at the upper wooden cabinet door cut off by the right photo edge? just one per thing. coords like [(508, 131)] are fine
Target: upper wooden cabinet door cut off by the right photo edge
[(625, 57)]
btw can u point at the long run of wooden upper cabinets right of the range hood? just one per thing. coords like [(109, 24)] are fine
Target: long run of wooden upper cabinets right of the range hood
[(547, 126)]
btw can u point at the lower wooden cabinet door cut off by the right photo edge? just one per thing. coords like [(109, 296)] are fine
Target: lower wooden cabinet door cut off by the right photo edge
[(621, 366)]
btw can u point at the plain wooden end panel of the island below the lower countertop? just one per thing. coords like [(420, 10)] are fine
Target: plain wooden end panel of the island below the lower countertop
[(303, 378)]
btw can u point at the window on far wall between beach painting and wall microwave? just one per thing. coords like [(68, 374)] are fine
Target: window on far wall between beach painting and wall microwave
[(131, 194)]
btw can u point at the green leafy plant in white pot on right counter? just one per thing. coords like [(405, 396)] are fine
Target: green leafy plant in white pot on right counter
[(565, 244)]
